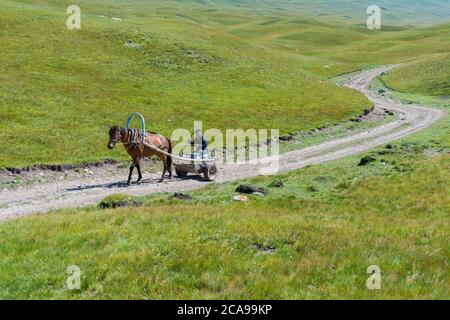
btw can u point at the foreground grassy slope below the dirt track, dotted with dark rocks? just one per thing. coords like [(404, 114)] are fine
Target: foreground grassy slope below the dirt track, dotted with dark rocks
[(312, 239)]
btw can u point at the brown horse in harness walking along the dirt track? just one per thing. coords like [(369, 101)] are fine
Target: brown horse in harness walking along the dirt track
[(131, 139)]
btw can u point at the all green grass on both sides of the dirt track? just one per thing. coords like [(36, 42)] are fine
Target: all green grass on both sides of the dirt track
[(312, 239)]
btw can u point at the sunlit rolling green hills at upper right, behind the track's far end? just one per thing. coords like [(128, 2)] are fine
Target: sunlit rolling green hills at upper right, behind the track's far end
[(329, 49)]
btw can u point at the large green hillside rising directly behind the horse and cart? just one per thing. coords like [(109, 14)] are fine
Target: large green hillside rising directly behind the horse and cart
[(60, 90)]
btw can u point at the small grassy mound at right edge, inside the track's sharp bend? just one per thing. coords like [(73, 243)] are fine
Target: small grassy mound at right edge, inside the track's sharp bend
[(430, 76)]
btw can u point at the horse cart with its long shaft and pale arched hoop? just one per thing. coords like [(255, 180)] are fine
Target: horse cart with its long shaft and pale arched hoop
[(208, 166)]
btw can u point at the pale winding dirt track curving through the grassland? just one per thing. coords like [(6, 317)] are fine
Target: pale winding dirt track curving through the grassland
[(89, 190)]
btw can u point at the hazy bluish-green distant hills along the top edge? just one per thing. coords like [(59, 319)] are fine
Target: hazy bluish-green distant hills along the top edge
[(394, 12)]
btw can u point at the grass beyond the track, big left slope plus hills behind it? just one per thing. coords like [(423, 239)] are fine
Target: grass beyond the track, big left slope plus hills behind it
[(61, 90)]
